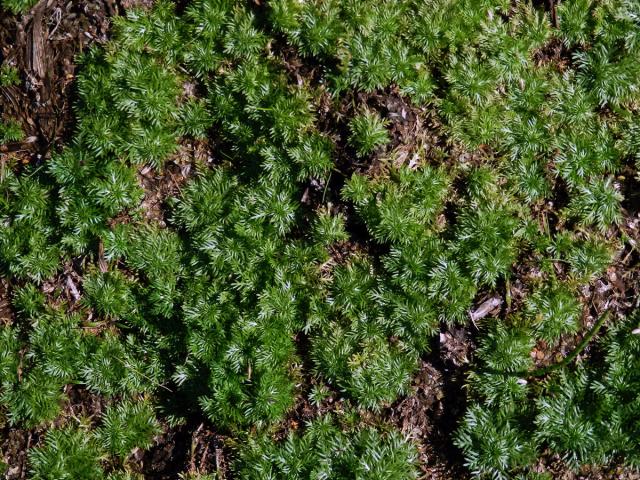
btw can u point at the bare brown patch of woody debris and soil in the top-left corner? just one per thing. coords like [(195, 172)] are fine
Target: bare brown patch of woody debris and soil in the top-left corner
[(42, 44)]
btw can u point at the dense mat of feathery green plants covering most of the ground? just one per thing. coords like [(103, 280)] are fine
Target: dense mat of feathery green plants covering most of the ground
[(297, 264)]
